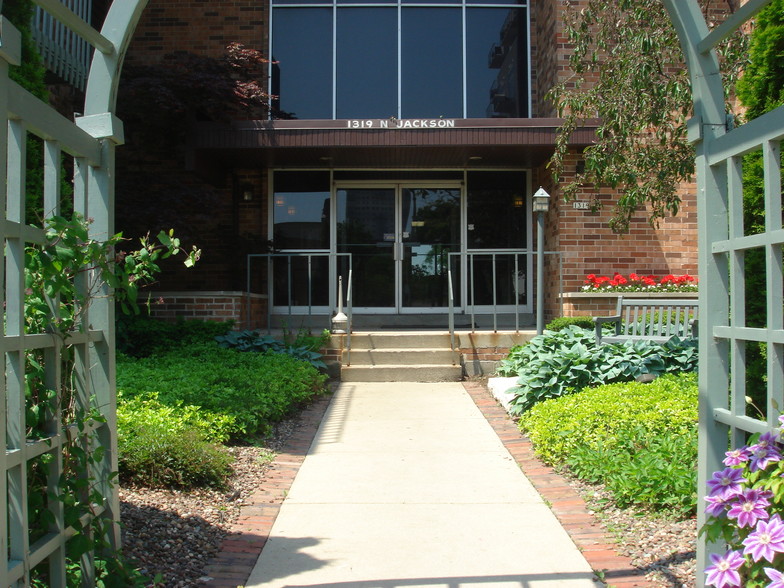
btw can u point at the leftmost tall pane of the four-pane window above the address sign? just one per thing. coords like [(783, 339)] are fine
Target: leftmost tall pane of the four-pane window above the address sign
[(302, 76)]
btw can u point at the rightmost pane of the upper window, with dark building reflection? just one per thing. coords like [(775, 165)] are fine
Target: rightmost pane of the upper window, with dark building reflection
[(496, 62)]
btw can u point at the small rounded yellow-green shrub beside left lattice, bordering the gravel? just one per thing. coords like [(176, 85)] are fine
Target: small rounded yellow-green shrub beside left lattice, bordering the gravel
[(155, 456)]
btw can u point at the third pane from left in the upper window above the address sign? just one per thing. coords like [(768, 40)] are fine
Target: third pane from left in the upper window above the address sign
[(432, 63)]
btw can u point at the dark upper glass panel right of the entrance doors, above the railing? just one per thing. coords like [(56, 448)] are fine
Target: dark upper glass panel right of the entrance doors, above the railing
[(496, 206)]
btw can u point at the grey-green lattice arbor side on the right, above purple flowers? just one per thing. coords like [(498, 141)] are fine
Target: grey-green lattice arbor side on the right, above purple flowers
[(724, 333)]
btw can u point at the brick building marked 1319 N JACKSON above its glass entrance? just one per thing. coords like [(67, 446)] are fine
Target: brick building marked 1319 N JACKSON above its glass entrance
[(407, 142)]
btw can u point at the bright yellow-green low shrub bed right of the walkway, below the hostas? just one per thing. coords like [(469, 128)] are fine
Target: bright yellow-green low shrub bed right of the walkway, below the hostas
[(640, 440)]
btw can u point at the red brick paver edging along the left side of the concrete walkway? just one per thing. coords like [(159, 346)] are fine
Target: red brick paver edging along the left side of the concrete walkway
[(232, 566)]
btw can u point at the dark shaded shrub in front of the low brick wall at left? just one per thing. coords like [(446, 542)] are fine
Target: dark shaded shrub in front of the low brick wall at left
[(143, 336)]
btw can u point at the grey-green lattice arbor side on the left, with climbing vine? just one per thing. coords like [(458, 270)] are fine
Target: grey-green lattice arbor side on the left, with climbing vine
[(87, 147)]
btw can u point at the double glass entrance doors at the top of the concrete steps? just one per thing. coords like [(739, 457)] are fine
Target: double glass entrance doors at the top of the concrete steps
[(400, 237)]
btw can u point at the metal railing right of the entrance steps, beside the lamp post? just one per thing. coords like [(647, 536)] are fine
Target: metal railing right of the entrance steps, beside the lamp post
[(519, 271)]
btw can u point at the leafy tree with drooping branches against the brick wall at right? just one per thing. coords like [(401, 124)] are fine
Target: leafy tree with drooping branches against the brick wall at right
[(628, 71)]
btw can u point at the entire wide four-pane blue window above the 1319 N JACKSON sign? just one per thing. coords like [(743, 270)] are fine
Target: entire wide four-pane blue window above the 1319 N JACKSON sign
[(447, 59)]
